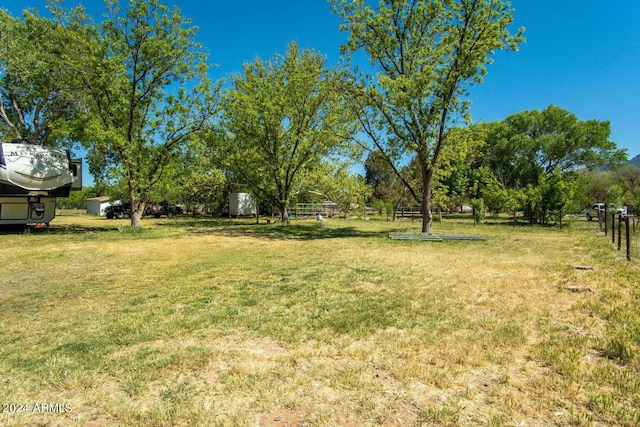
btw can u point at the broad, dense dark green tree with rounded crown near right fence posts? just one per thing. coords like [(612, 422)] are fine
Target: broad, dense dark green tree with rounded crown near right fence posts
[(535, 156)]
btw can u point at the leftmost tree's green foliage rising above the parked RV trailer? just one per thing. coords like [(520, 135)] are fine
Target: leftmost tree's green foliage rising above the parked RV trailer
[(36, 91)]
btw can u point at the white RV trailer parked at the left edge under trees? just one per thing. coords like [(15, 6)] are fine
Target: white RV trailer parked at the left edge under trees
[(31, 178)]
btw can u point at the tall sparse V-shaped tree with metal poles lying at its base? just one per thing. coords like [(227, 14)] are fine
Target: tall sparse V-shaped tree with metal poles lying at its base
[(425, 54)]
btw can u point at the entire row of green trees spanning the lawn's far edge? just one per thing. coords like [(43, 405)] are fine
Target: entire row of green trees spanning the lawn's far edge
[(133, 92)]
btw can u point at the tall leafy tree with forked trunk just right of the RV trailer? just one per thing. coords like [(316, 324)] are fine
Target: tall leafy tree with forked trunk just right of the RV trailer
[(143, 79)]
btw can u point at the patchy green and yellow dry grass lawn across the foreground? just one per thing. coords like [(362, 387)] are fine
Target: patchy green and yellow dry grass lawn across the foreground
[(223, 322)]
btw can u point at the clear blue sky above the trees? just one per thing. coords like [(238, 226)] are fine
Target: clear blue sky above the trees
[(581, 55)]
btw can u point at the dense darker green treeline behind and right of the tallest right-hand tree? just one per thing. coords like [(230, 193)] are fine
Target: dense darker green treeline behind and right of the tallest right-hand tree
[(540, 165)]
